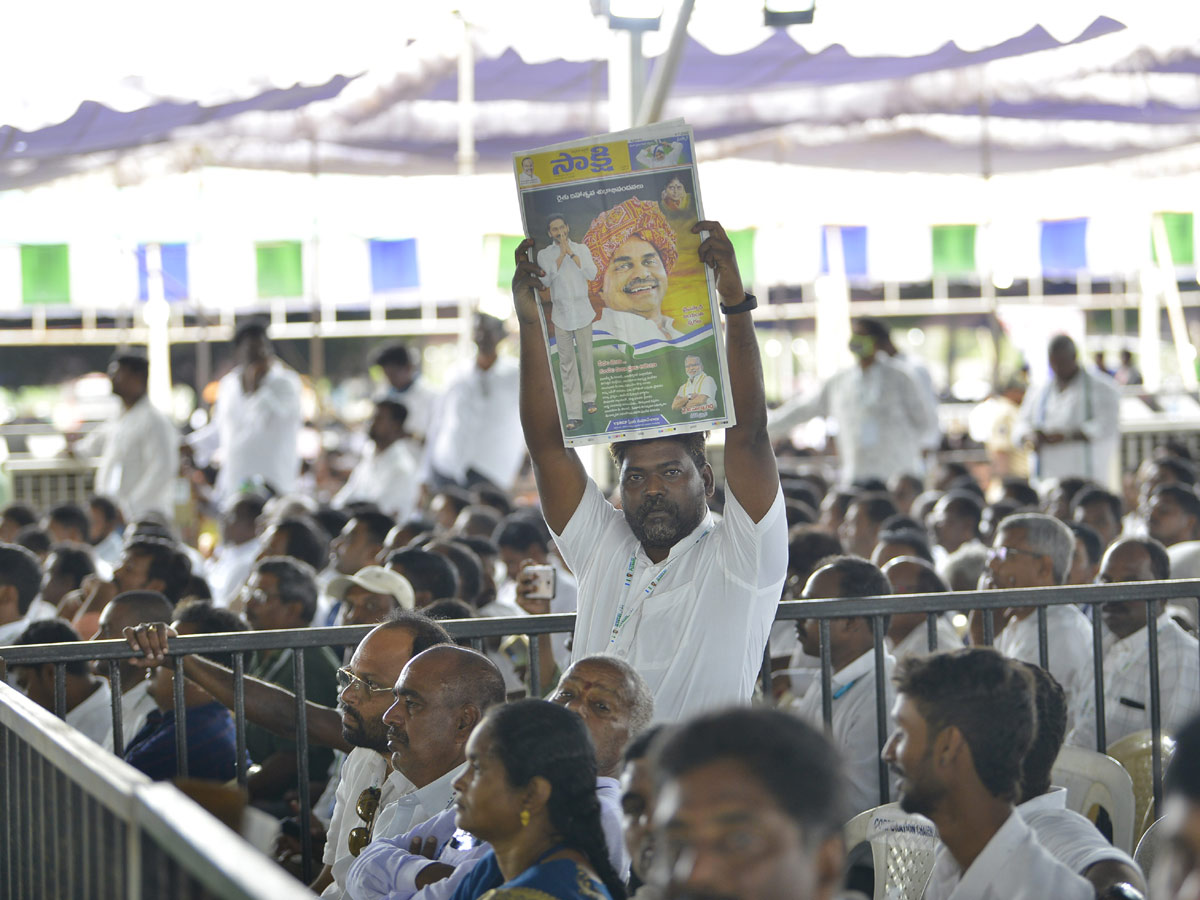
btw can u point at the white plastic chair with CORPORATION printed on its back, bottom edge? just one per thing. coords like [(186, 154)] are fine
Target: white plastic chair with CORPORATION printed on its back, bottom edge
[(903, 849)]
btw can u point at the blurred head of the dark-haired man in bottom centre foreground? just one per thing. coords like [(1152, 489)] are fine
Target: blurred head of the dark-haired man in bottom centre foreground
[(749, 806)]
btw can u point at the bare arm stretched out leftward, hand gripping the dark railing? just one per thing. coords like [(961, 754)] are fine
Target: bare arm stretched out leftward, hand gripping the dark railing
[(267, 705)]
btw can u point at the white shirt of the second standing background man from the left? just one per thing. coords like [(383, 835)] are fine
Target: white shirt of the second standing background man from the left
[(255, 435)]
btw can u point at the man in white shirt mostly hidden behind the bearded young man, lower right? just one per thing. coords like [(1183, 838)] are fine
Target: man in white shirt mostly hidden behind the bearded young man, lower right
[(1071, 838)]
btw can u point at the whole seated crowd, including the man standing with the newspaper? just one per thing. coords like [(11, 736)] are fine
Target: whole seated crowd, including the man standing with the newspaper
[(647, 760)]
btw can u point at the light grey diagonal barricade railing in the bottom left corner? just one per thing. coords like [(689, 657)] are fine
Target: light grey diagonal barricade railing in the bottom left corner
[(81, 825)]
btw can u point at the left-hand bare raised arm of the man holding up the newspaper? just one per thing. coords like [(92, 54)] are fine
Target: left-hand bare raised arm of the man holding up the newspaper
[(557, 469)]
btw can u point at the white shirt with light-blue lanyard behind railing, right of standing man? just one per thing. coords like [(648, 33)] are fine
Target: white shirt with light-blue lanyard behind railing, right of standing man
[(855, 731)]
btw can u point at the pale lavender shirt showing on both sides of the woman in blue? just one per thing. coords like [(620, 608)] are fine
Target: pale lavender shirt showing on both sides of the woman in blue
[(387, 871)]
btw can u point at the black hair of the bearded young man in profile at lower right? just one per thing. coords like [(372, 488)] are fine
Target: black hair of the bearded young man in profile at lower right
[(989, 699)]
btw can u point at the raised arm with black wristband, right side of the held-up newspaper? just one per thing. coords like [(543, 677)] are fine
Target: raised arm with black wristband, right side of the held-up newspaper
[(751, 470)]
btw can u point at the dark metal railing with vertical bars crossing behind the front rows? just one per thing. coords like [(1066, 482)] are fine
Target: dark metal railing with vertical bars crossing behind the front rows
[(477, 631)]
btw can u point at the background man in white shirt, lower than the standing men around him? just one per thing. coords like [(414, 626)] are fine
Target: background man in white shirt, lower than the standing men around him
[(387, 476)]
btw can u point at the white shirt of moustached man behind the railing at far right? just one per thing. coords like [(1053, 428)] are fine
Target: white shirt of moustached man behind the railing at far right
[(1127, 686)]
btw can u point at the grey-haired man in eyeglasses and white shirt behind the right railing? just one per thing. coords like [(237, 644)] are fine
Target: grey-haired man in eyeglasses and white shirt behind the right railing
[(1035, 551)]
